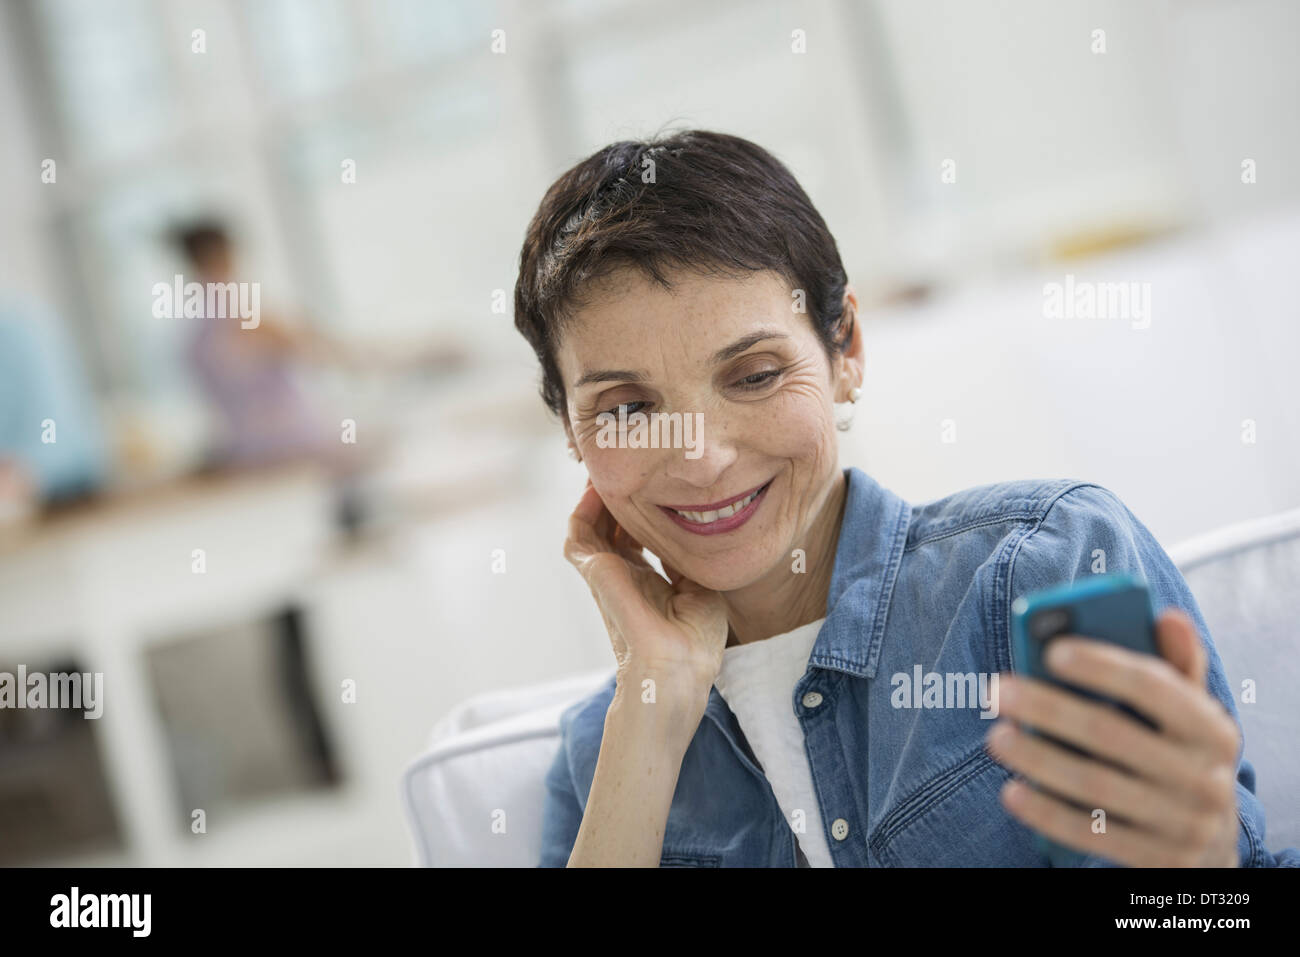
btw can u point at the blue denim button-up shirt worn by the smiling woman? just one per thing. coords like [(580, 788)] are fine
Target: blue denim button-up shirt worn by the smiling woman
[(924, 586)]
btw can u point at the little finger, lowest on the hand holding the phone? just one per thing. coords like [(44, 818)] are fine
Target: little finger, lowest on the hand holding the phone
[(1074, 829)]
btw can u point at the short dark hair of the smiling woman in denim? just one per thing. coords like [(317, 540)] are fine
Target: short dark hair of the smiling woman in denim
[(720, 205)]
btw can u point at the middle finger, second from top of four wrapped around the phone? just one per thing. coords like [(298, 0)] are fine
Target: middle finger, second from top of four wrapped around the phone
[(1108, 734)]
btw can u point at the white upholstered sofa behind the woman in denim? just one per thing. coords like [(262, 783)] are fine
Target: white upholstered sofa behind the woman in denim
[(493, 751)]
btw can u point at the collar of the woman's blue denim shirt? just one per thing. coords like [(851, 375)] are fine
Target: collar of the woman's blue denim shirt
[(873, 535)]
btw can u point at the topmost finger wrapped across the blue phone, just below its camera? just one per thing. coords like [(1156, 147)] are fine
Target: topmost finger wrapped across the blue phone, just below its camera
[(1146, 683)]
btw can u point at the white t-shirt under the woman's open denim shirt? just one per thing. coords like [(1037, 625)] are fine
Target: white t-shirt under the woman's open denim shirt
[(757, 682)]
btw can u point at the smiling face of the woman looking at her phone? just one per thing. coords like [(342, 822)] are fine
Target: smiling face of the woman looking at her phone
[(736, 353)]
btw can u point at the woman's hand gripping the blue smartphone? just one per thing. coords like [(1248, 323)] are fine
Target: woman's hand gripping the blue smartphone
[(1171, 800)]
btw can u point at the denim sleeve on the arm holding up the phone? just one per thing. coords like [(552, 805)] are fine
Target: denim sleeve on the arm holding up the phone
[(1089, 530)]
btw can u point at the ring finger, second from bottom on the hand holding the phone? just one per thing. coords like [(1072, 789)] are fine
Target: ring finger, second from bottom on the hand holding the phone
[(1093, 785)]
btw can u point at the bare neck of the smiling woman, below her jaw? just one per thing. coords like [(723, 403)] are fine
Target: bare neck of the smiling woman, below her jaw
[(786, 599)]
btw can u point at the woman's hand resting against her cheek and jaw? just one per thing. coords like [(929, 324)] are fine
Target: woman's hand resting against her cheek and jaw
[(673, 631)]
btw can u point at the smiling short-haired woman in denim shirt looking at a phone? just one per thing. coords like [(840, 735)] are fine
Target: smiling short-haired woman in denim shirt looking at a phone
[(753, 720)]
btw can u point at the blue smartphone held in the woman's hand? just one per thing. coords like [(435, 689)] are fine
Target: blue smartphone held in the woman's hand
[(1106, 608)]
